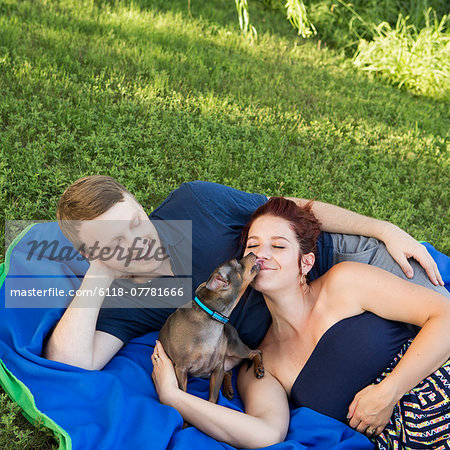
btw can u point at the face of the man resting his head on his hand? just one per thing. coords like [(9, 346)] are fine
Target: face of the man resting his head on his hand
[(124, 239)]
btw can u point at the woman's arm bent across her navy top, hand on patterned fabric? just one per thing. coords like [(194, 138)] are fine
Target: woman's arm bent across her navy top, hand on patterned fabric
[(368, 288)]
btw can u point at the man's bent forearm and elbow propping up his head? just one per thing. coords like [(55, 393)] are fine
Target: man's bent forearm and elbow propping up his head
[(75, 340)]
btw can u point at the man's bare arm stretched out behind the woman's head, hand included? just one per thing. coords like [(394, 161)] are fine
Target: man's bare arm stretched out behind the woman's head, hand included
[(399, 244)]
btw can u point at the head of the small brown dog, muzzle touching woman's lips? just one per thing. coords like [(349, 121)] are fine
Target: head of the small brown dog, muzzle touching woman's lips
[(229, 281)]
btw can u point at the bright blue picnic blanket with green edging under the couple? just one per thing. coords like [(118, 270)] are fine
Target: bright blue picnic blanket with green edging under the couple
[(117, 407)]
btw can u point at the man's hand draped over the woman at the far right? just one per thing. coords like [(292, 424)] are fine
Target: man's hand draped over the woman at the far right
[(402, 246)]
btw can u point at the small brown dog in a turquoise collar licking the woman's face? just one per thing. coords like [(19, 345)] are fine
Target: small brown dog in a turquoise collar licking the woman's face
[(200, 341)]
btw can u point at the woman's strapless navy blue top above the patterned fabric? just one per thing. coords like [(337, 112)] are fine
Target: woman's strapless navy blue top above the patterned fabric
[(348, 357)]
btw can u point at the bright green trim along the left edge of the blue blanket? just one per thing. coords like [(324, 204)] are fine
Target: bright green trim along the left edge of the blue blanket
[(18, 391)]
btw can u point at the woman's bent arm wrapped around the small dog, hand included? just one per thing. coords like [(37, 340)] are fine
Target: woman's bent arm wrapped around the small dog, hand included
[(266, 418)]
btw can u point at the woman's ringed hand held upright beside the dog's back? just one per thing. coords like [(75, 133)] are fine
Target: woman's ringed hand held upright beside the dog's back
[(163, 375)]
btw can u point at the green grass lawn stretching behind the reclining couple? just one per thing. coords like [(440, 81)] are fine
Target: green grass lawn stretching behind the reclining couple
[(145, 93)]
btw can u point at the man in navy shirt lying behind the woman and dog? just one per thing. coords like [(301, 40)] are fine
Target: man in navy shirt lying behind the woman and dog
[(97, 213)]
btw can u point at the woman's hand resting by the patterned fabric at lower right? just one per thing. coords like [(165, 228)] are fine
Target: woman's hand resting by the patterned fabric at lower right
[(371, 410)]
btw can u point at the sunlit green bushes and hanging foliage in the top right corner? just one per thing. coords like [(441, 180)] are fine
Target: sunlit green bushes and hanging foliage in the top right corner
[(406, 48)]
